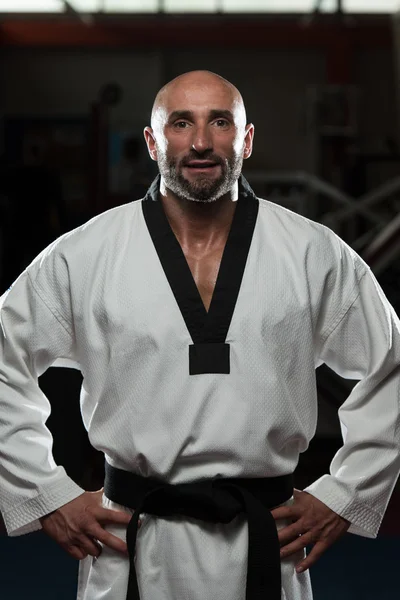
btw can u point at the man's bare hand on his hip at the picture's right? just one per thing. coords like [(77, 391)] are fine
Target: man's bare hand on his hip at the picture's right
[(312, 523)]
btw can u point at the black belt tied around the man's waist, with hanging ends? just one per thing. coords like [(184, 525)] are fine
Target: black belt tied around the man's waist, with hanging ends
[(217, 500)]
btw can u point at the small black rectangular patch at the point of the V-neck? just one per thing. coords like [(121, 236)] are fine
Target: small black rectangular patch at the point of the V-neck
[(209, 358)]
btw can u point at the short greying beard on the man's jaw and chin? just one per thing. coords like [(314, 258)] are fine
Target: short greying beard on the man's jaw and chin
[(204, 190)]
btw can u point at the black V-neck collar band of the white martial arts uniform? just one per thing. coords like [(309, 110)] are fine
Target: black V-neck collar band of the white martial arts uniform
[(205, 328)]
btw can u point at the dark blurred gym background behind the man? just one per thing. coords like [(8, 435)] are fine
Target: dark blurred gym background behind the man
[(320, 82)]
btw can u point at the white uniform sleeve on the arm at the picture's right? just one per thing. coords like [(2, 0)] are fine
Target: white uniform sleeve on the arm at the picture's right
[(365, 345)]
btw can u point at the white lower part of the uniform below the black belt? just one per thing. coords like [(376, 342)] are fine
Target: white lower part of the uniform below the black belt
[(168, 549)]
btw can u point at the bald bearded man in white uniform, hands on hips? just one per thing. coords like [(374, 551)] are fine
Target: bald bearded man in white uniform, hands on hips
[(197, 317)]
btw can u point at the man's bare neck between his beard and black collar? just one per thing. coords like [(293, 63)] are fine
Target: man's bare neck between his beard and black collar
[(201, 225)]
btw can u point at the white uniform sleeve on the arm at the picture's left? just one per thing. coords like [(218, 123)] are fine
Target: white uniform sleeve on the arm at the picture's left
[(33, 335)]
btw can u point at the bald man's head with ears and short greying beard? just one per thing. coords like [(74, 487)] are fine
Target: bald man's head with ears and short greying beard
[(199, 138)]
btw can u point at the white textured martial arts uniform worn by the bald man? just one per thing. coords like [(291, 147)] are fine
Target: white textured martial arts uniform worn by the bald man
[(98, 298)]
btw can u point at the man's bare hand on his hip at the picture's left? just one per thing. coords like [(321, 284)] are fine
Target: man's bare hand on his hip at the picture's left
[(78, 526)]
